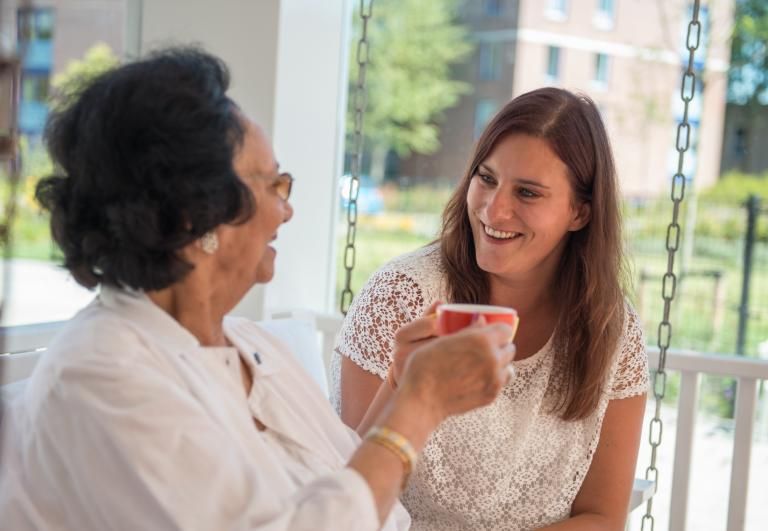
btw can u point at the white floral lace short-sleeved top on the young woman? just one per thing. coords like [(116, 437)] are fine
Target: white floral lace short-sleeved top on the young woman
[(510, 465)]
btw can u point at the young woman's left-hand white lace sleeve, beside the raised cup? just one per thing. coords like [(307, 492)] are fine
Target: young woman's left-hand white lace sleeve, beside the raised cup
[(389, 300)]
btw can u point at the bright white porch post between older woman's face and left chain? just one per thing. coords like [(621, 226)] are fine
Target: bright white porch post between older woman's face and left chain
[(308, 134)]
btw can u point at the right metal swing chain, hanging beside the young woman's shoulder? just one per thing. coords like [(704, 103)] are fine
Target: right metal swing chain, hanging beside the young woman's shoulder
[(669, 281)]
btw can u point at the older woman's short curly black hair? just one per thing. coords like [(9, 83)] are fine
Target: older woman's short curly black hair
[(143, 157)]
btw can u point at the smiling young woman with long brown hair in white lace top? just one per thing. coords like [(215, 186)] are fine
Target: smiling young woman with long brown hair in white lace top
[(535, 225)]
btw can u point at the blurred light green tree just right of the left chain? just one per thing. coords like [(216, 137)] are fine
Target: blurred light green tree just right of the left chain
[(414, 45)]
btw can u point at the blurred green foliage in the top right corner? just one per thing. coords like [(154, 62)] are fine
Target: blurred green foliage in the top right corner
[(748, 76)]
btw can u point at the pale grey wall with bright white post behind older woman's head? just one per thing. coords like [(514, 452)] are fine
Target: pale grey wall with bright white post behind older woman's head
[(288, 65)]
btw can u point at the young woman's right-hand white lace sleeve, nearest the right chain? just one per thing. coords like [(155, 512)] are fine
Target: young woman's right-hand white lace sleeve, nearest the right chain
[(630, 376)]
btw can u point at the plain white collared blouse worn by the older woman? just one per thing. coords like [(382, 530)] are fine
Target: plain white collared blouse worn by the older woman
[(128, 423)]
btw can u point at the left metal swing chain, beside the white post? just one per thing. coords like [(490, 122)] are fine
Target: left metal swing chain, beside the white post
[(359, 100)]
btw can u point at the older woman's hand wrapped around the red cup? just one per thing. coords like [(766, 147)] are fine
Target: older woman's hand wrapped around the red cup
[(460, 372)]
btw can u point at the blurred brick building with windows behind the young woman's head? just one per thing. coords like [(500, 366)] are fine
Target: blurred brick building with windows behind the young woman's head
[(626, 55)]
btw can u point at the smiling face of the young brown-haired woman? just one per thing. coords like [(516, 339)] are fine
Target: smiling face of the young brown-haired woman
[(521, 209)]
